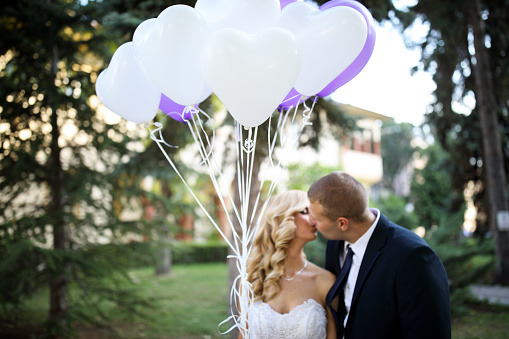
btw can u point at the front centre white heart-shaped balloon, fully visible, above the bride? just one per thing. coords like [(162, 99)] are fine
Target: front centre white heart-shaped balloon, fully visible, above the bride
[(251, 73)]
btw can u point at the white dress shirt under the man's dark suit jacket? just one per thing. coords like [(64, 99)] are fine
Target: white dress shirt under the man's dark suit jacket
[(358, 248)]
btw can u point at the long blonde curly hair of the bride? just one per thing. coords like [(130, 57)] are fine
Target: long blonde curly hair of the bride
[(266, 263)]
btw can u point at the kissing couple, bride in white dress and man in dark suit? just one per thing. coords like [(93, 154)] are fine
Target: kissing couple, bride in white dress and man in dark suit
[(380, 280)]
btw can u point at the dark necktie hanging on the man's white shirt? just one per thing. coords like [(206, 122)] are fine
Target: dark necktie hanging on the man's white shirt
[(338, 289)]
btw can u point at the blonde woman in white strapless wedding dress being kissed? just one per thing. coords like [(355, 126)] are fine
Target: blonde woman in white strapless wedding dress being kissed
[(289, 292)]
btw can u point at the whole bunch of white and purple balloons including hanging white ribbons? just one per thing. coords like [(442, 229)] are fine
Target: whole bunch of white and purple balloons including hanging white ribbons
[(256, 56)]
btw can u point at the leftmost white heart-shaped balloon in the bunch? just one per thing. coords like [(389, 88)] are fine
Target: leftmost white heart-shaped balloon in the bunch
[(125, 89)]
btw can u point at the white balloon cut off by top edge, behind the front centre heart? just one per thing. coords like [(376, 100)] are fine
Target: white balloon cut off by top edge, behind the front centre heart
[(249, 16)]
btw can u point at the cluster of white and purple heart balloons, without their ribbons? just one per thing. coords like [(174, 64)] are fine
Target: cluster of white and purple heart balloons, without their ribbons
[(255, 55)]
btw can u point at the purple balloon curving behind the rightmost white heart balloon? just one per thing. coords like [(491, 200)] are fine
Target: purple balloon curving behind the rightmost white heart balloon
[(362, 59)]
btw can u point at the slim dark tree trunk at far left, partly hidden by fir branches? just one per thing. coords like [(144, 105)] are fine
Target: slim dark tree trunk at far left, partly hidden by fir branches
[(58, 281)]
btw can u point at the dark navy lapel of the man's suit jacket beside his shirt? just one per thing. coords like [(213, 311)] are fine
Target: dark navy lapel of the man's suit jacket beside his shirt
[(373, 251)]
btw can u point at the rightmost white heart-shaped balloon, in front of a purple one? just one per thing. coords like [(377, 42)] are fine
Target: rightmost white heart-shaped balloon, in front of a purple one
[(330, 42)]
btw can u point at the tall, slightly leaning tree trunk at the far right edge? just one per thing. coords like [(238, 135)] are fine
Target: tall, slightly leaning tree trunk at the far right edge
[(493, 157)]
